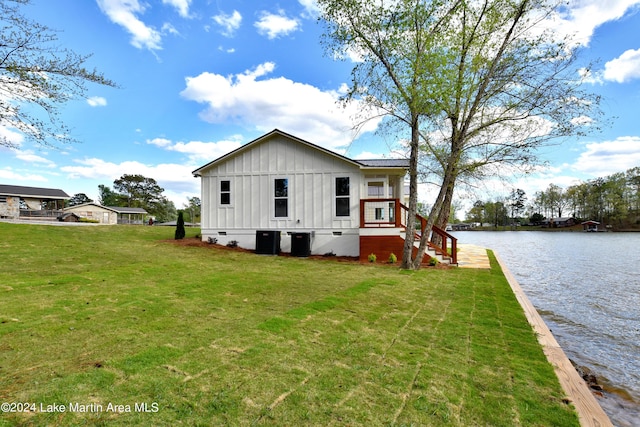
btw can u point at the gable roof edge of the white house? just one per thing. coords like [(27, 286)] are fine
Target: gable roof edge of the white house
[(373, 163)]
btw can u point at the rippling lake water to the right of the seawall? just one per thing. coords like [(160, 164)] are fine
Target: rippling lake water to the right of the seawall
[(586, 287)]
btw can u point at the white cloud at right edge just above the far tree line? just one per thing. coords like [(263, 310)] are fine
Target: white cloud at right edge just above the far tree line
[(601, 159)]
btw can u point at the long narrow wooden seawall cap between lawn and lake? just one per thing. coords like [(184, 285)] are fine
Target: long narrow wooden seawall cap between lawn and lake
[(587, 407)]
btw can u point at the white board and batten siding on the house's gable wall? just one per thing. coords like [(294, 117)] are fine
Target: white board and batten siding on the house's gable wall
[(311, 178)]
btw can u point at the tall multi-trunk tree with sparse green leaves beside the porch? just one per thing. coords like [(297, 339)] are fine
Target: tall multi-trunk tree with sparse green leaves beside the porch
[(476, 85)]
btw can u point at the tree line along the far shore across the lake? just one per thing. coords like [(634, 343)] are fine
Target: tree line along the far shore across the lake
[(611, 200)]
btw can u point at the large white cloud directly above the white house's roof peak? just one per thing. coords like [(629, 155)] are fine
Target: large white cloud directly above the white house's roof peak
[(267, 103)]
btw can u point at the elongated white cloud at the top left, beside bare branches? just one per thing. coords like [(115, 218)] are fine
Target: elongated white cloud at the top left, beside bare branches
[(124, 13)]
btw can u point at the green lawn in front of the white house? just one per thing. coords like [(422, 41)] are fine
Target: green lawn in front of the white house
[(96, 317)]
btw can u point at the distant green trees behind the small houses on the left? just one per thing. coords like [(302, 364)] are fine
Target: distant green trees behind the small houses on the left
[(137, 191)]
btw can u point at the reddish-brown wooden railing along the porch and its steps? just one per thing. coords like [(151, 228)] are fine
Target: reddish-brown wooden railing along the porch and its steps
[(392, 213)]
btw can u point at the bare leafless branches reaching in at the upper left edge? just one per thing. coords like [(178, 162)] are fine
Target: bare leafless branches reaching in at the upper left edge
[(36, 71)]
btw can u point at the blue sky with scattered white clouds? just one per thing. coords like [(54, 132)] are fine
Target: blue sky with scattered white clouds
[(199, 78)]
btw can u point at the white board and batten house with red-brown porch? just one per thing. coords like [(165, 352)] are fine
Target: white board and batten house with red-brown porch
[(281, 184)]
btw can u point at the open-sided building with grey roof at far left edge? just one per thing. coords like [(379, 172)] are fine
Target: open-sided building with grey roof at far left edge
[(18, 202)]
